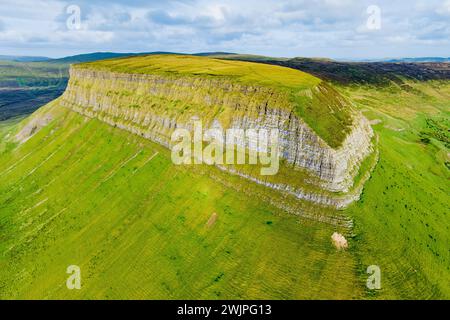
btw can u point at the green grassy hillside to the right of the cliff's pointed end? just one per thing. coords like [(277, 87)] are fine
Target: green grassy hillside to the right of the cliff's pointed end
[(402, 221)]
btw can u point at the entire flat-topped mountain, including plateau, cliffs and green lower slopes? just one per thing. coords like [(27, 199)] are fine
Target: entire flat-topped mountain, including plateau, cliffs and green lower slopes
[(88, 180)]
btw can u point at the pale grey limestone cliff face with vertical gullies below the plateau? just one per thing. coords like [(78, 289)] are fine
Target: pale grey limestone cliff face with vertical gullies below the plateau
[(153, 106)]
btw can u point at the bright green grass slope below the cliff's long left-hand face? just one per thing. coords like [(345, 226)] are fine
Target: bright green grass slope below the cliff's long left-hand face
[(80, 192)]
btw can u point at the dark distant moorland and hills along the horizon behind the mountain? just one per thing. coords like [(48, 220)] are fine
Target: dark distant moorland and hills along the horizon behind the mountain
[(24, 73)]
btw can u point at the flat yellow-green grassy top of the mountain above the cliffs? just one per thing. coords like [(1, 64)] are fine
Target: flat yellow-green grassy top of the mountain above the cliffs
[(303, 94)]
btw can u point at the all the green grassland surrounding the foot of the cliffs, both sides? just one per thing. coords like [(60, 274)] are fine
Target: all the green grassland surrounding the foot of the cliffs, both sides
[(80, 192)]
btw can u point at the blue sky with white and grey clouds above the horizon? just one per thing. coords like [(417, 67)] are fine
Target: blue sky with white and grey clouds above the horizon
[(338, 29)]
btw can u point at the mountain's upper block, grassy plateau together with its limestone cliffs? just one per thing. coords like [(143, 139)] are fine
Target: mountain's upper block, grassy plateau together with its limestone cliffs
[(323, 140)]
